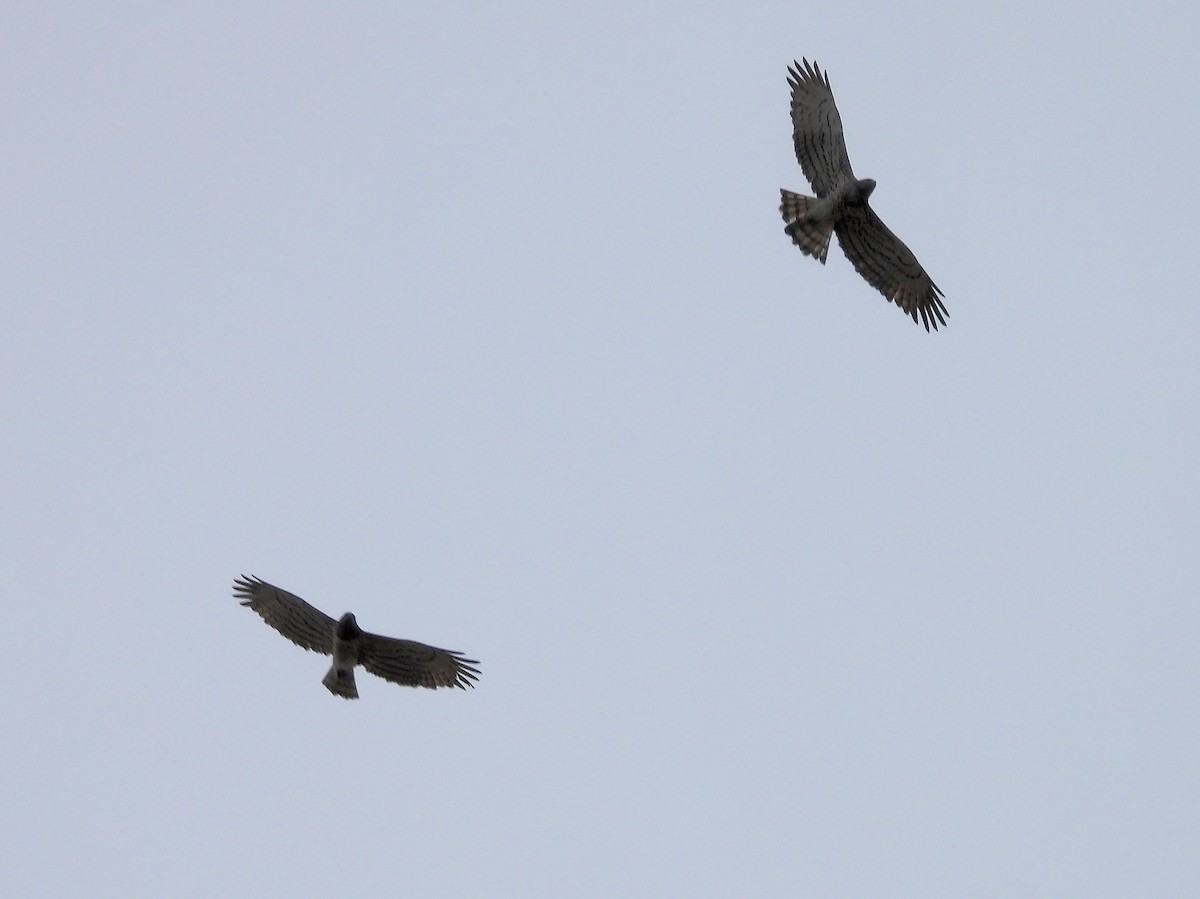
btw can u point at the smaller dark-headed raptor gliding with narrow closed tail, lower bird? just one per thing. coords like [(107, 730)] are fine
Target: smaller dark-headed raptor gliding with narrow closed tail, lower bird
[(403, 662)]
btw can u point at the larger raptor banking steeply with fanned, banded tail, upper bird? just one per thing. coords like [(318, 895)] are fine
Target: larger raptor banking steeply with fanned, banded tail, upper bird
[(841, 206)]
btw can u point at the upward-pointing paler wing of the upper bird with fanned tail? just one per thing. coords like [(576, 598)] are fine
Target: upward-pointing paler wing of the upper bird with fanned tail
[(817, 129)]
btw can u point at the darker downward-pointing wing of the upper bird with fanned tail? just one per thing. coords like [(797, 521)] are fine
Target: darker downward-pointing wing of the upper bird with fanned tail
[(889, 266)]
